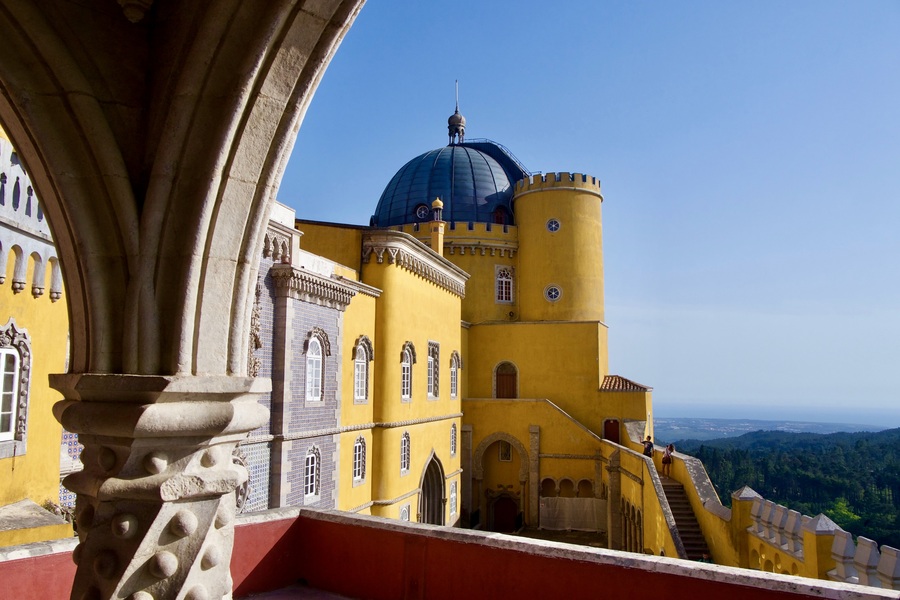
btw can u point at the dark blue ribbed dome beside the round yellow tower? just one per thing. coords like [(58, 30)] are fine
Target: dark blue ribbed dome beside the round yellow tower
[(475, 181)]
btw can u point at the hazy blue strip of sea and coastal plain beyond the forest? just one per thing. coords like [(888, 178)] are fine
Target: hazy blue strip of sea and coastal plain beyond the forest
[(871, 417)]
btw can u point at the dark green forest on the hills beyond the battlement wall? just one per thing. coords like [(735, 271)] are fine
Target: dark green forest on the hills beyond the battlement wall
[(854, 478)]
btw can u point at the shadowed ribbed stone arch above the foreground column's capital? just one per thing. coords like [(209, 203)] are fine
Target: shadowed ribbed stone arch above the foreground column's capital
[(206, 138)]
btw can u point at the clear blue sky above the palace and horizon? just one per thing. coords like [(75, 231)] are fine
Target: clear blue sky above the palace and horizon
[(750, 161)]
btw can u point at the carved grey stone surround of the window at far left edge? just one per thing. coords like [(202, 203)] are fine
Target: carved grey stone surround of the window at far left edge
[(15, 342)]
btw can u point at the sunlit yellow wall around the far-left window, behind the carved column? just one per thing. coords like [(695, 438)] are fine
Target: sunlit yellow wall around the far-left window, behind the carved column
[(35, 474)]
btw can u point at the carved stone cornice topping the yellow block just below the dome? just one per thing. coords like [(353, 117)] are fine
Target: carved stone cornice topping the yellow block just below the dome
[(405, 251)]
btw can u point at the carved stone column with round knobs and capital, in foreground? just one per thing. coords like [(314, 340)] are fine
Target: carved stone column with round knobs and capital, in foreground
[(155, 508)]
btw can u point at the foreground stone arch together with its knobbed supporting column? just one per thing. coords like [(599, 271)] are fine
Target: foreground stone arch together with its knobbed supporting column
[(156, 141)]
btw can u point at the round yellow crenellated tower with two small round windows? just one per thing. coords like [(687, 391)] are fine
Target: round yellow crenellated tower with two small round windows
[(561, 242)]
